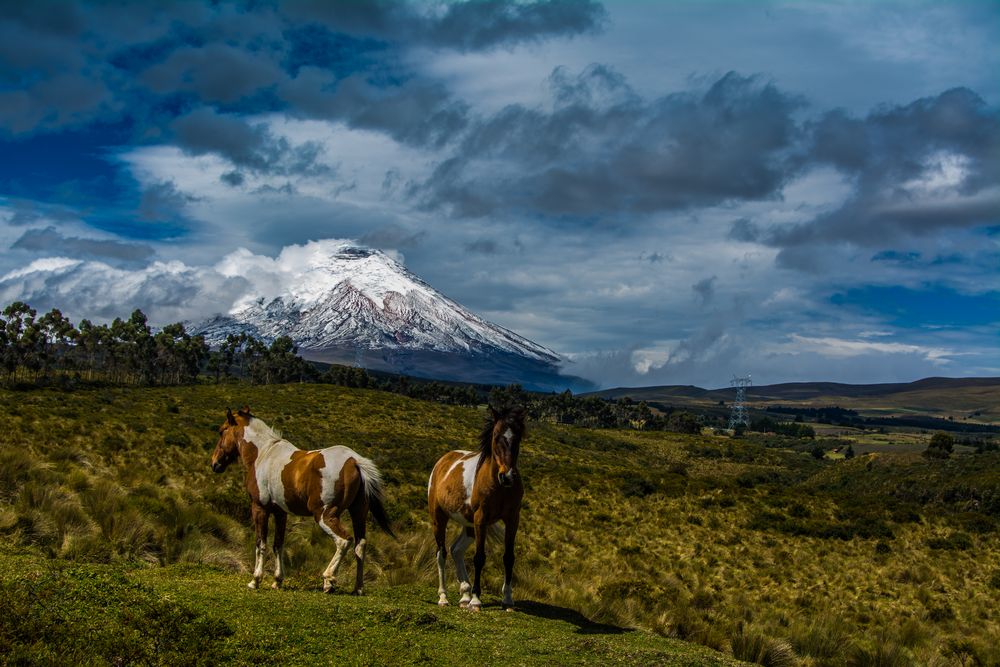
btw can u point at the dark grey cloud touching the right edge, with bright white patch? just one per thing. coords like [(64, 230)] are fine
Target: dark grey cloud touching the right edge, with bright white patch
[(927, 167)]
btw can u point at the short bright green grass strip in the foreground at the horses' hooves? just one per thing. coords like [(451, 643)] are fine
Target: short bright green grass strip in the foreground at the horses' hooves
[(60, 613)]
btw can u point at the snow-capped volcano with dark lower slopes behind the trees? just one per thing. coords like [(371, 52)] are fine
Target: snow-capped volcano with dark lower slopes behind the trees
[(341, 302)]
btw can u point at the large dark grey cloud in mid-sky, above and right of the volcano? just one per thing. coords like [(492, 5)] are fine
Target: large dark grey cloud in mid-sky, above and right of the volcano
[(602, 149)]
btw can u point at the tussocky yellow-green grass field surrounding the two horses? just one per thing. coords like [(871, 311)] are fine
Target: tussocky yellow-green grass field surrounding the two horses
[(757, 552)]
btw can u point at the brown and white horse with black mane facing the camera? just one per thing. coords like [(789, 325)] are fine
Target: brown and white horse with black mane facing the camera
[(477, 489)]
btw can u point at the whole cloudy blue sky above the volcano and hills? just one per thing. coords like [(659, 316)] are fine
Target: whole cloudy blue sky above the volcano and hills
[(664, 193)]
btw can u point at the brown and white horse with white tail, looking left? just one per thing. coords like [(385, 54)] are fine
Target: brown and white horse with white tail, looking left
[(283, 479)]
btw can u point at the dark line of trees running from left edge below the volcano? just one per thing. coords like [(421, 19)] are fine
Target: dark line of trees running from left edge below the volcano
[(50, 350)]
